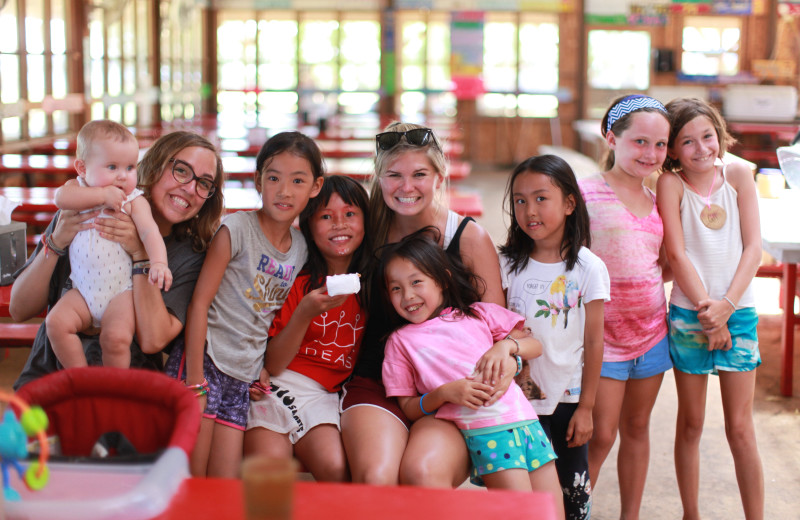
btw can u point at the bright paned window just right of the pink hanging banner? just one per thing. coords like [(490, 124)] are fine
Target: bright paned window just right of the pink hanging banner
[(520, 65)]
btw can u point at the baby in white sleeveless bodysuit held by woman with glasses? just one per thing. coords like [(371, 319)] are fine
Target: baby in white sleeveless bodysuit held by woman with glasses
[(101, 269)]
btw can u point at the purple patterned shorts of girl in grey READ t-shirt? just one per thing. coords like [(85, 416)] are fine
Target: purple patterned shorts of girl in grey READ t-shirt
[(228, 398)]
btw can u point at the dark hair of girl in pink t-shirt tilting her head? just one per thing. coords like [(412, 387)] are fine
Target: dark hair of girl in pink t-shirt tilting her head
[(459, 285)]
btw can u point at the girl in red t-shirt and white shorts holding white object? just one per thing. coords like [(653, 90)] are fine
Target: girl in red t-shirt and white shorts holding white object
[(314, 340)]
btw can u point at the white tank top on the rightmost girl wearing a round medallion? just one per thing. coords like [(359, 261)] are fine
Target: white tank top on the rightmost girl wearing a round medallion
[(714, 253)]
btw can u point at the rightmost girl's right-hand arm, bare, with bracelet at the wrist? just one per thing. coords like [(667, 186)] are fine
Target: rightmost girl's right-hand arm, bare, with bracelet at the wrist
[(715, 313)]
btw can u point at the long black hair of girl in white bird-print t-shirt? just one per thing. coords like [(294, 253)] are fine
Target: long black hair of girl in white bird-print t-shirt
[(519, 246)]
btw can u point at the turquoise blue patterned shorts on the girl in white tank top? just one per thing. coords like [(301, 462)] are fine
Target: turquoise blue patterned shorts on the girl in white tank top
[(688, 345)]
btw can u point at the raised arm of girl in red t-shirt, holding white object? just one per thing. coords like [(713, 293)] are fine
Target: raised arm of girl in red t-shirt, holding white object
[(283, 347)]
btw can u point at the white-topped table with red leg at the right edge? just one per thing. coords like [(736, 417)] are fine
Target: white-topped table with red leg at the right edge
[(780, 237)]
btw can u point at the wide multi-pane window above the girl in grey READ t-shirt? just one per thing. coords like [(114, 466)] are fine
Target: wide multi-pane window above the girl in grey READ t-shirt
[(274, 65)]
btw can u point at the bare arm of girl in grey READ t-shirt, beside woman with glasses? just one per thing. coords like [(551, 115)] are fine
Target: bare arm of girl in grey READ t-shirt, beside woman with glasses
[(217, 259)]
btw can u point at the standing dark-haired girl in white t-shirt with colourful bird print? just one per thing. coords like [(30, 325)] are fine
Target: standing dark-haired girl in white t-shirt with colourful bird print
[(559, 286)]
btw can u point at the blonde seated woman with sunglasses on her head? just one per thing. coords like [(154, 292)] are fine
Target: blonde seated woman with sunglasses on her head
[(407, 194)]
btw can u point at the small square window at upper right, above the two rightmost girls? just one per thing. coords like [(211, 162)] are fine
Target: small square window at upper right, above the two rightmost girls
[(710, 46)]
